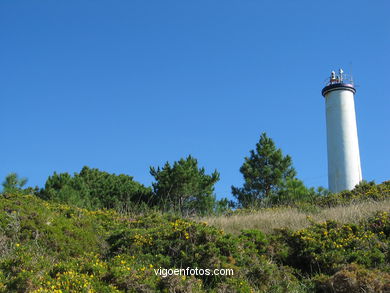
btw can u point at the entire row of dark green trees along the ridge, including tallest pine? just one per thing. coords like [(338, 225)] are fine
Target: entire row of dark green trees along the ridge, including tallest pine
[(182, 187)]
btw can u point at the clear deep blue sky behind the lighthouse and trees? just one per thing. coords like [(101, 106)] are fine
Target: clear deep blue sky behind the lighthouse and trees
[(124, 85)]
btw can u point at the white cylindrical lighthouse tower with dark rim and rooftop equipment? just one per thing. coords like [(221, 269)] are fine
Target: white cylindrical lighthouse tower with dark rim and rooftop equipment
[(344, 170)]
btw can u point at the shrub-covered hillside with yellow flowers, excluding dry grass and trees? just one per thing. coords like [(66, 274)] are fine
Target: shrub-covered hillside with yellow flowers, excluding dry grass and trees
[(49, 247)]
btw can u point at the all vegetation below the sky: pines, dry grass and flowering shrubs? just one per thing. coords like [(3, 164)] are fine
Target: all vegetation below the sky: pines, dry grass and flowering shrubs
[(101, 232)]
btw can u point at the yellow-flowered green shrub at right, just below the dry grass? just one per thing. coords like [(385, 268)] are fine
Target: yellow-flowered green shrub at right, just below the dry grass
[(328, 246)]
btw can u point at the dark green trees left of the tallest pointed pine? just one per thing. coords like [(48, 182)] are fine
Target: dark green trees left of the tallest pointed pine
[(182, 188)]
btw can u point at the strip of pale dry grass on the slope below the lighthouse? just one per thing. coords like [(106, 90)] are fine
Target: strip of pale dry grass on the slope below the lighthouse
[(269, 219)]
